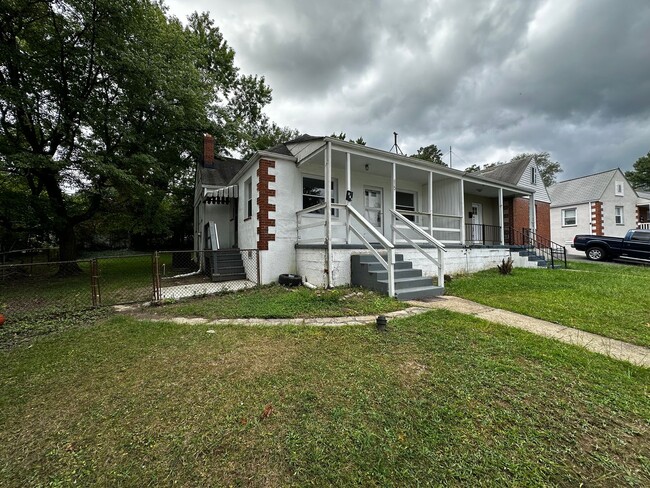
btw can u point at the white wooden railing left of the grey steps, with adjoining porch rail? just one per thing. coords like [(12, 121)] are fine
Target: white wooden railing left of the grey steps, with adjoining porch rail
[(351, 214)]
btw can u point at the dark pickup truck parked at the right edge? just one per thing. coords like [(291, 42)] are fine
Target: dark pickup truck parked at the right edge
[(635, 245)]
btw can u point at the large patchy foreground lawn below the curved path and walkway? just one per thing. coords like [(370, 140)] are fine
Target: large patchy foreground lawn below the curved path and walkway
[(441, 398)]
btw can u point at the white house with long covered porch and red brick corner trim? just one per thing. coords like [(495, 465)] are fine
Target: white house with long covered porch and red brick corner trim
[(312, 203)]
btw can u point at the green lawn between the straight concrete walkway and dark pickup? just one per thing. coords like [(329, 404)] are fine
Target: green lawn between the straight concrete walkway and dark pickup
[(607, 299)]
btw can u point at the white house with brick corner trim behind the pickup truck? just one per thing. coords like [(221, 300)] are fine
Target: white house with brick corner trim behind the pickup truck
[(599, 204)]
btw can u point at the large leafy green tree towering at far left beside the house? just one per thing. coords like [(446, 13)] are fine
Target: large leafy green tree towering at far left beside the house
[(110, 98)]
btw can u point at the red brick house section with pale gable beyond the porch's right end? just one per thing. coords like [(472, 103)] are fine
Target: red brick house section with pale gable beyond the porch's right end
[(524, 173)]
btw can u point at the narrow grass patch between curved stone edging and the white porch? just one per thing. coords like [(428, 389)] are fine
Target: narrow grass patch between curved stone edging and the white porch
[(276, 301)]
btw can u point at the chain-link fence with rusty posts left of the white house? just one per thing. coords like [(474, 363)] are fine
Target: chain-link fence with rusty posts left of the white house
[(34, 290)]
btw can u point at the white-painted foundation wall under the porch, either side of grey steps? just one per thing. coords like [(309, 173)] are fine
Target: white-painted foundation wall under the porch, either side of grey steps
[(458, 260)]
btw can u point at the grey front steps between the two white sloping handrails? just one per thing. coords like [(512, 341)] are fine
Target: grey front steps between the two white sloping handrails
[(409, 282)]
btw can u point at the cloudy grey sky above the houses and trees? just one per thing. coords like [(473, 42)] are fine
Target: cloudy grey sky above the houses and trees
[(490, 78)]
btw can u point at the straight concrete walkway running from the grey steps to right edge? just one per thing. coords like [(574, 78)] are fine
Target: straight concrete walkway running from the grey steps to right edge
[(624, 351)]
